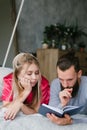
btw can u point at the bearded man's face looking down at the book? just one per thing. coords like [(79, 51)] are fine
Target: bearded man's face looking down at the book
[(69, 78)]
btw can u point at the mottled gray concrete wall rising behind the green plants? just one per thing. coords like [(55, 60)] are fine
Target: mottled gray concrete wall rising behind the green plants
[(36, 14)]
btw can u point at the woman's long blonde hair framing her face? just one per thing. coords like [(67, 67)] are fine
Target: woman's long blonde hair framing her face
[(18, 63)]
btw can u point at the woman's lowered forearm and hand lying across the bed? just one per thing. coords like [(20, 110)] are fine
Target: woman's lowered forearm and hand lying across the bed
[(15, 106)]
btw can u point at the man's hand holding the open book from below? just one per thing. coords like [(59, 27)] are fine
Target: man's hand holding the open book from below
[(66, 120)]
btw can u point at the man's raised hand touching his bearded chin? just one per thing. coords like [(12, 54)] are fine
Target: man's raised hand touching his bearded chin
[(65, 96)]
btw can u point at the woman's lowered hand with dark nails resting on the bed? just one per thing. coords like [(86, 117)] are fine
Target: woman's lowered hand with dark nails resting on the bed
[(12, 110)]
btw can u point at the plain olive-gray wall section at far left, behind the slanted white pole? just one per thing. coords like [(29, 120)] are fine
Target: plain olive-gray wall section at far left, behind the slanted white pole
[(5, 32)]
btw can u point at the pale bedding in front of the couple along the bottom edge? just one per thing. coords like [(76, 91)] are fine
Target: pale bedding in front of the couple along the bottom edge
[(36, 122)]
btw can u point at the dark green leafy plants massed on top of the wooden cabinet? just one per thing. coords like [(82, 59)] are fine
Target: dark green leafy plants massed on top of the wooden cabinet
[(60, 32)]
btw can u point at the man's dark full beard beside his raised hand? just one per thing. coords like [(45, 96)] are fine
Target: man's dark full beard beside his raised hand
[(75, 88)]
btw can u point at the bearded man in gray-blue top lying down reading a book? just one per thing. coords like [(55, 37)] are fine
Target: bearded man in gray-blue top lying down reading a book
[(70, 88)]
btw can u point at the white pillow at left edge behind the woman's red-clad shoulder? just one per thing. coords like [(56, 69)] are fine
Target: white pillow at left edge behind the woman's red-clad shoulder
[(3, 72)]
